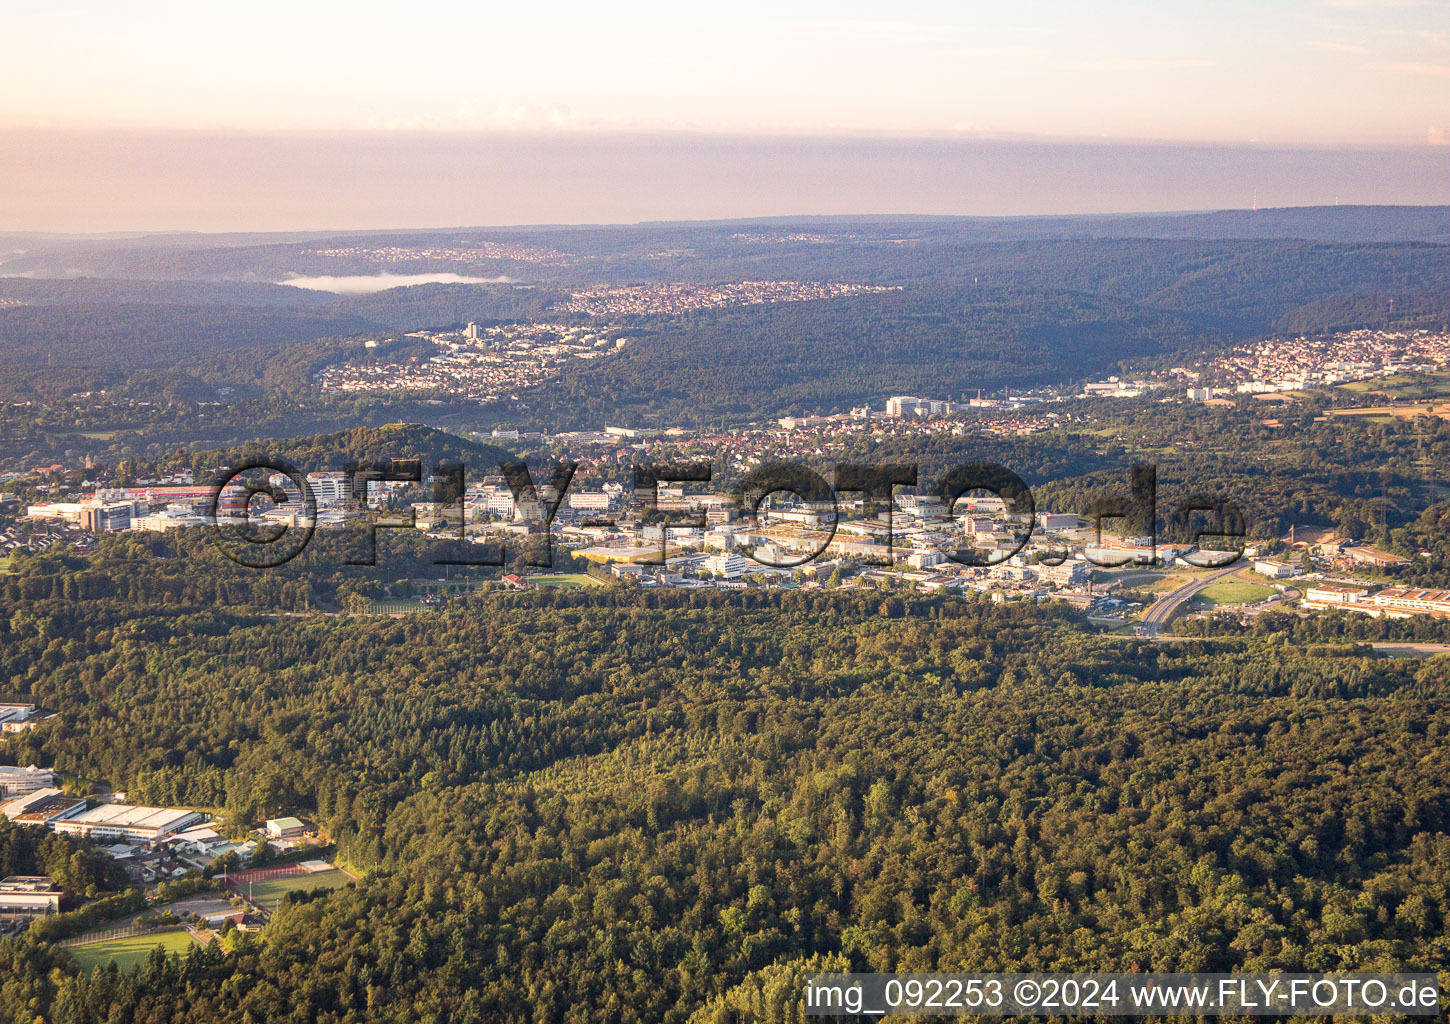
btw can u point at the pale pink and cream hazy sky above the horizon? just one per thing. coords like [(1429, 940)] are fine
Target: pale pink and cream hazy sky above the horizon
[(143, 92)]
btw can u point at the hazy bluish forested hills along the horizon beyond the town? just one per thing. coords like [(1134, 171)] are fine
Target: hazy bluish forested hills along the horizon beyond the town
[(971, 305)]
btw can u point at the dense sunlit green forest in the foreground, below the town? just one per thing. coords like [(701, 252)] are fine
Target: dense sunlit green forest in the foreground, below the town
[(645, 807)]
